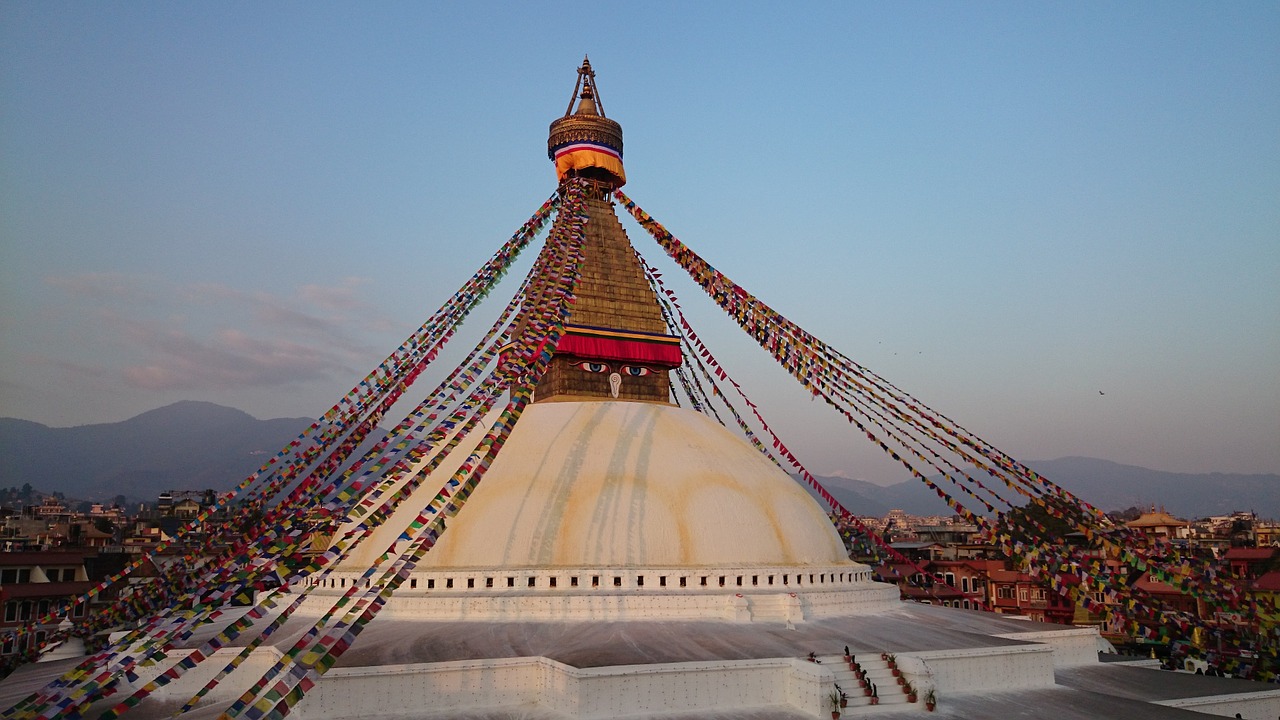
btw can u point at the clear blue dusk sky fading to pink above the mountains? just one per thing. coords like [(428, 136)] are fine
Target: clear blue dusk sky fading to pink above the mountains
[(1004, 208)]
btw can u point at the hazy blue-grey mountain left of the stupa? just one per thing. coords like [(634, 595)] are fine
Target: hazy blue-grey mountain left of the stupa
[(182, 446)]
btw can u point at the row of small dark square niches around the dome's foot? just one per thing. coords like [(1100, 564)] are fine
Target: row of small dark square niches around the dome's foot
[(611, 581)]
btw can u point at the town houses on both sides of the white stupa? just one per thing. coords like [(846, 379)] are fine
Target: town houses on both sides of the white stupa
[(53, 554)]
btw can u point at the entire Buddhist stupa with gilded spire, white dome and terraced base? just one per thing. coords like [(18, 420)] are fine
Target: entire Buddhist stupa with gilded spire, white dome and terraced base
[(627, 557)]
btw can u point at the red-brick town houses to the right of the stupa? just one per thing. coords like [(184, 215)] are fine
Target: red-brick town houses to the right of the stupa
[(944, 562)]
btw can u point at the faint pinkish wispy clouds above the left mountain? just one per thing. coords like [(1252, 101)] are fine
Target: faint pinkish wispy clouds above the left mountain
[(162, 336)]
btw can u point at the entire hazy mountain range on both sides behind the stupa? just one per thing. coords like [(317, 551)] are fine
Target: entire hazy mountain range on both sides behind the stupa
[(200, 445)]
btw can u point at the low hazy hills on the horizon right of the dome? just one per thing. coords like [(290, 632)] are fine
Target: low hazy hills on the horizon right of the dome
[(1109, 486)]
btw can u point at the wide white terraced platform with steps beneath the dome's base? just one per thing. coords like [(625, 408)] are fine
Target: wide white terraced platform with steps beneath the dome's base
[(981, 666)]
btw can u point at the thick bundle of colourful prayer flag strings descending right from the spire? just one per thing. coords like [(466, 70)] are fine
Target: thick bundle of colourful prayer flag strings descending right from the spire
[(886, 416)]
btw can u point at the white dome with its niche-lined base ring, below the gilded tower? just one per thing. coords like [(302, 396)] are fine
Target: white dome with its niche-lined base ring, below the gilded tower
[(623, 511)]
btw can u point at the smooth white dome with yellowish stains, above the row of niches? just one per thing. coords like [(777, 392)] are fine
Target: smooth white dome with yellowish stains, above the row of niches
[(633, 485)]
